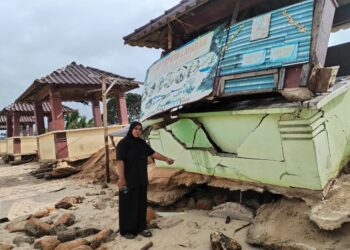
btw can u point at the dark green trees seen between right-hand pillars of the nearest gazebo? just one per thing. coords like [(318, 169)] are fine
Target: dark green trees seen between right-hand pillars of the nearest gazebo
[(133, 103)]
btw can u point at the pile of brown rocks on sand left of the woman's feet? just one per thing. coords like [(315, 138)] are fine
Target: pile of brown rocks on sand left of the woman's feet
[(48, 231)]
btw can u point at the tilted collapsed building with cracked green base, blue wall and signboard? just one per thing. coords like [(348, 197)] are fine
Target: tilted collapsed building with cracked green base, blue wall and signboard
[(242, 90)]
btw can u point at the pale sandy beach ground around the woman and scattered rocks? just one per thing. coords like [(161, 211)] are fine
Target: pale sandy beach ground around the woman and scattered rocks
[(22, 194)]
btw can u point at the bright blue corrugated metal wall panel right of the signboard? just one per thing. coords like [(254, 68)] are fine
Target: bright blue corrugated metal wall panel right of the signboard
[(282, 34)]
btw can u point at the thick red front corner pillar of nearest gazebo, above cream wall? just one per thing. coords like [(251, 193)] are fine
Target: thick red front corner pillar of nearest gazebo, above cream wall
[(56, 110)]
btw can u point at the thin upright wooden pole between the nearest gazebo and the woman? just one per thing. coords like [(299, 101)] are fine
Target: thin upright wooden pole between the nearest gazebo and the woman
[(105, 126)]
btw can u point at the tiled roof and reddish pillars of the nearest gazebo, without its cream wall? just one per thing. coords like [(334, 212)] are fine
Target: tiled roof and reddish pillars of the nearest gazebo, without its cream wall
[(76, 82)]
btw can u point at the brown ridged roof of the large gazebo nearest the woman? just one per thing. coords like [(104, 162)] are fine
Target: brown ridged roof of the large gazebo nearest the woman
[(79, 74)]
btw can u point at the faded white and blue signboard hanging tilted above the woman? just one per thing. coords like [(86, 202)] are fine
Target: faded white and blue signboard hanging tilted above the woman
[(183, 76)]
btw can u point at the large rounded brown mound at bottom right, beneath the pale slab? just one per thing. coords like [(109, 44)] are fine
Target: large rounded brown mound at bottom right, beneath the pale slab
[(285, 225)]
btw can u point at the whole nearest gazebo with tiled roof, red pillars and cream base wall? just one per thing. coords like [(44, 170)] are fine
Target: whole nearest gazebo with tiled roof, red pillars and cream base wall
[(75, 82)]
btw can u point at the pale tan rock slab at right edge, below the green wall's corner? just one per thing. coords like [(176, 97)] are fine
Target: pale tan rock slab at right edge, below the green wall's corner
[(331, 213)]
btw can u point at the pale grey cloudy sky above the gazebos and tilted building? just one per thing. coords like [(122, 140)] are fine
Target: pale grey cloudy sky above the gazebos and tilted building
[(39, 36)]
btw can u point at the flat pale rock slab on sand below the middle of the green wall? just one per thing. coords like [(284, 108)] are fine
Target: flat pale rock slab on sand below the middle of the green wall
[(234, 210)]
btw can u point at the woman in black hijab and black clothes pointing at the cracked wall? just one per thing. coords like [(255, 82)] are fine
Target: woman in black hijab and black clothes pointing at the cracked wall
[(132, 153)]
